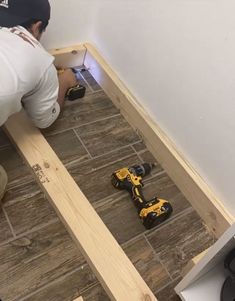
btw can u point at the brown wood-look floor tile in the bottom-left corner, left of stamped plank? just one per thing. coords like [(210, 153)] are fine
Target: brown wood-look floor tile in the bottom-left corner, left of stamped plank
[(35, 260)]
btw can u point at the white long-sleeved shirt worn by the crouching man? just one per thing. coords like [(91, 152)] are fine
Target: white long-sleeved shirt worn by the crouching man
[(28, 78)]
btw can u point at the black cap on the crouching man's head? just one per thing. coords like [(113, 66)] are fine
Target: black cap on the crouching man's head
[(16, 12)]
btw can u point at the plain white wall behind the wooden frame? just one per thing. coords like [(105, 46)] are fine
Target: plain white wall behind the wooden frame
[(178, 58)]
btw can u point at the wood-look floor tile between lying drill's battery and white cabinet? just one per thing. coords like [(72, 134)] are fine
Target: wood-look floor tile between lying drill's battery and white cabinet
[(177, 243)]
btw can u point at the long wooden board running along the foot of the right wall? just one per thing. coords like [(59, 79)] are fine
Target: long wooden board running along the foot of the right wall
[(195, 189)]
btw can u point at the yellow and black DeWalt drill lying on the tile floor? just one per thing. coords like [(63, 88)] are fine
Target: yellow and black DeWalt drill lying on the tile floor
[(151, 212)]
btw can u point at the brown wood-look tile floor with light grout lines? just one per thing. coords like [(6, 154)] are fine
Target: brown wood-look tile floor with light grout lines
[(38, 259)]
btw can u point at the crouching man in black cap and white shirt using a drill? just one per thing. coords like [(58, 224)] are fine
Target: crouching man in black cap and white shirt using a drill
[(28, 78)]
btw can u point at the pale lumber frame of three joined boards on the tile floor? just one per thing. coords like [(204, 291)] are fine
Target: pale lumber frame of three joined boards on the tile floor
[(209, 207)]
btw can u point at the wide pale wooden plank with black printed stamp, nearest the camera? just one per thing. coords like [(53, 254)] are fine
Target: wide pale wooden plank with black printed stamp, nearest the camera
[(106, 258)]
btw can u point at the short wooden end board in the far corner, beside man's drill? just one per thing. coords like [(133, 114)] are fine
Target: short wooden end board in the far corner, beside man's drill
[(69, 57)]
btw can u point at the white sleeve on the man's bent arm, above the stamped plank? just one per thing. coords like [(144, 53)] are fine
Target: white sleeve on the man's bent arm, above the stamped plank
[(41, 104)]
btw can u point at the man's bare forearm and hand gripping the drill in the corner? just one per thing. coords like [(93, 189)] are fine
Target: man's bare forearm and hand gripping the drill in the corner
[(67, 80)]
